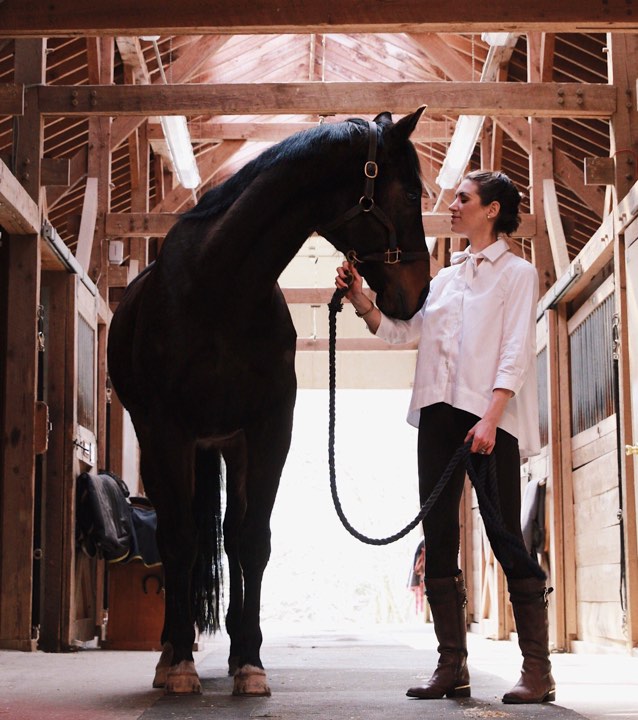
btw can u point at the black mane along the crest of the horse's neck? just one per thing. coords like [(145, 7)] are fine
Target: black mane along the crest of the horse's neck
[(301, 145)]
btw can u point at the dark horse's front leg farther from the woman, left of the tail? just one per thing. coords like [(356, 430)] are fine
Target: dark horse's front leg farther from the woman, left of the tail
[(166, 464)]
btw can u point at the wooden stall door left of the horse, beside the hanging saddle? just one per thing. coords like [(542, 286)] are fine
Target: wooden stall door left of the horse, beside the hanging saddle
[(71, 597)]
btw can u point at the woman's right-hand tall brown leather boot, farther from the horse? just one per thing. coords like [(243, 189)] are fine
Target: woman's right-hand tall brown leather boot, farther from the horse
[(529, 602)]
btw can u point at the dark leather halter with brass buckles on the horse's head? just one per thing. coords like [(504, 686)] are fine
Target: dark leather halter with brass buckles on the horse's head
[(393, 254)]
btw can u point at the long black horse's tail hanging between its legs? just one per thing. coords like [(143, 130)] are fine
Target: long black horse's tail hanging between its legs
[(207, 576)]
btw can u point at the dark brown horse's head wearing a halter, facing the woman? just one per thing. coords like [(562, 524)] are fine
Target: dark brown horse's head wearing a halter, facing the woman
[(383, 231)]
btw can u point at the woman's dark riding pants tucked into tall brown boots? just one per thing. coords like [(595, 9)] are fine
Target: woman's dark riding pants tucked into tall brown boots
[(442, 429)]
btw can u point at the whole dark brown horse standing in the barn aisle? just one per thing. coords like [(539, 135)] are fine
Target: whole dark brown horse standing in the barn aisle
[(201, 352)]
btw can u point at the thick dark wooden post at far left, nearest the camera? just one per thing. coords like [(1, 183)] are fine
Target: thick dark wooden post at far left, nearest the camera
[(21, 372)]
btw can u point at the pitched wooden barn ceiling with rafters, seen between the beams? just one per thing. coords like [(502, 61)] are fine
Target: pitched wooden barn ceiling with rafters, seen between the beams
[(223, 142)]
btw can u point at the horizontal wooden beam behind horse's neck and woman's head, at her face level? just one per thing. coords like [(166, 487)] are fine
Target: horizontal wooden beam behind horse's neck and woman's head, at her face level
[(158, 224)]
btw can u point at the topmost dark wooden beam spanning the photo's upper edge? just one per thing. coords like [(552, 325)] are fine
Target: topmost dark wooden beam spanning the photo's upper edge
[(144, 17)]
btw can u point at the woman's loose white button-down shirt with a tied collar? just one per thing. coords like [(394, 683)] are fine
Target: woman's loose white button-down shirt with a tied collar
[(477, 332)]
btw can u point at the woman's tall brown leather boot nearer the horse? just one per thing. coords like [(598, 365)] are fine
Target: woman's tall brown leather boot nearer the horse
[(447, 599)]
